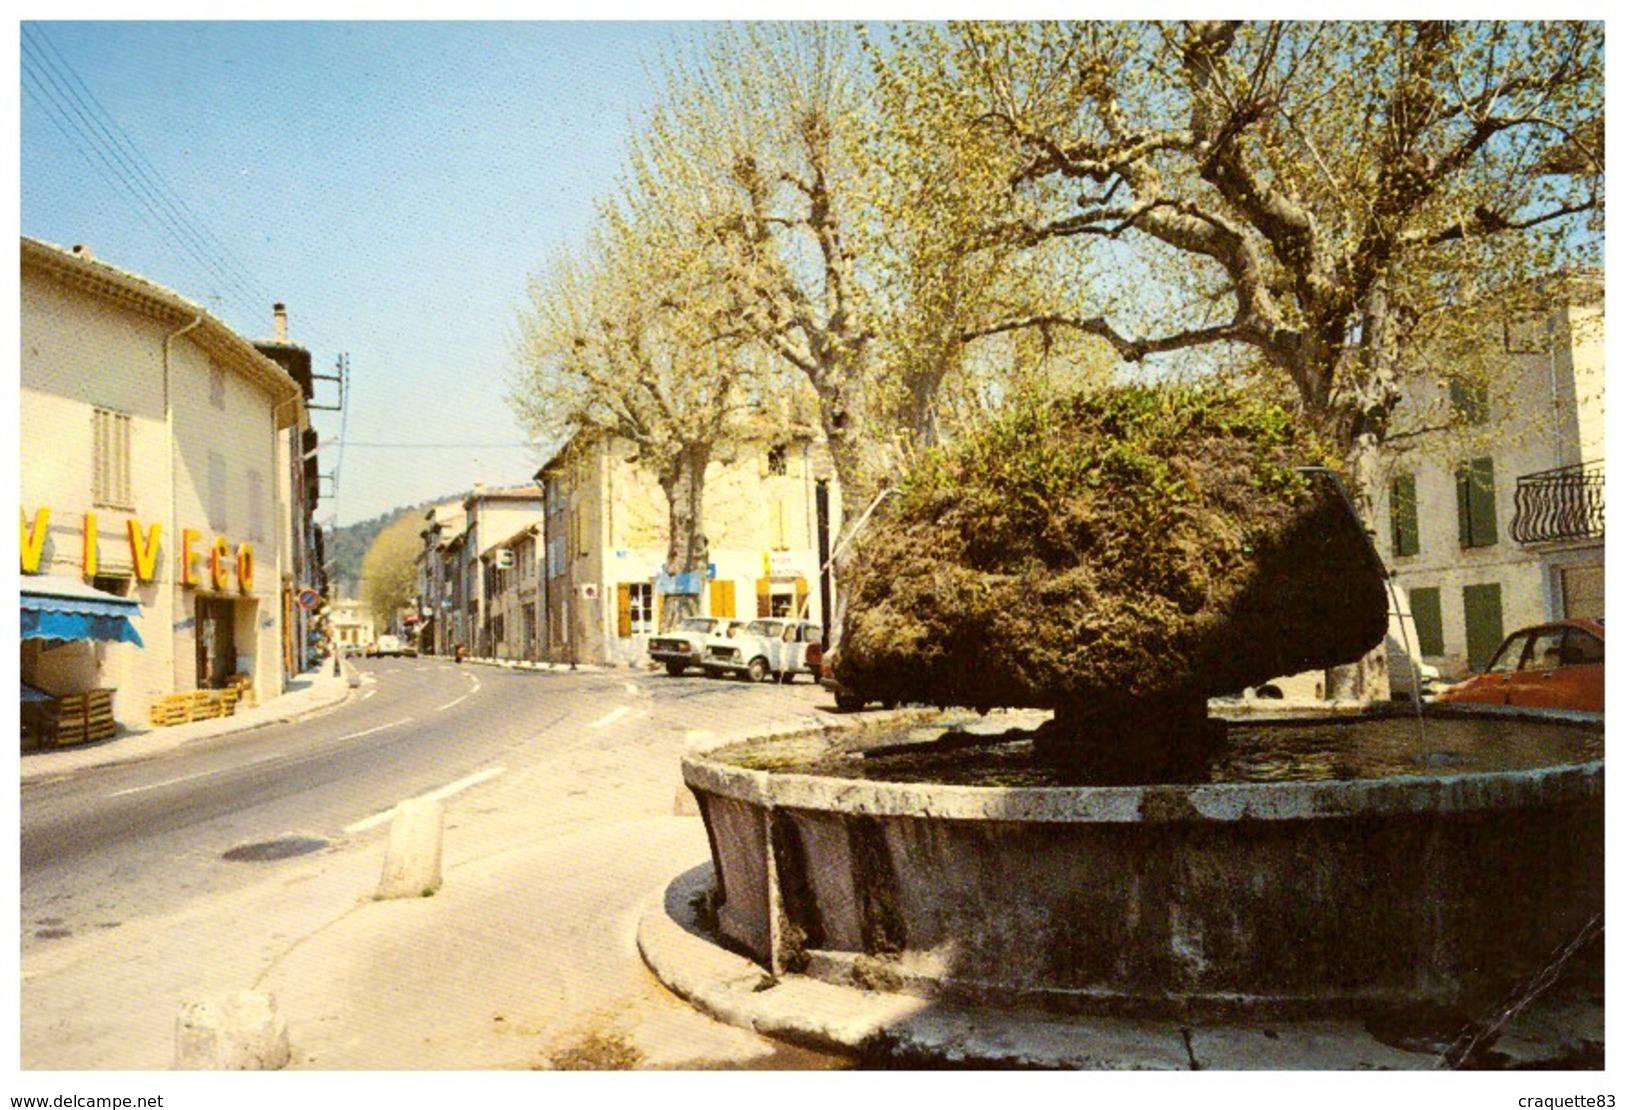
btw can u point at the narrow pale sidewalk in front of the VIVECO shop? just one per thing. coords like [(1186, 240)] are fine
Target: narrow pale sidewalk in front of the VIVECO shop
[(306, 695)]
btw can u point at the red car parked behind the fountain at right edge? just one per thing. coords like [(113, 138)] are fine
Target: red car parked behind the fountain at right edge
[(1556, 666)]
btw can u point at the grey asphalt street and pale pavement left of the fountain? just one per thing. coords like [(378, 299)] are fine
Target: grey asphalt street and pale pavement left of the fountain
[(223, 864)]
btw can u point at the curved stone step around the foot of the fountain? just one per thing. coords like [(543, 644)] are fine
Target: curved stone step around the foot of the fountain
[(901, 1031)]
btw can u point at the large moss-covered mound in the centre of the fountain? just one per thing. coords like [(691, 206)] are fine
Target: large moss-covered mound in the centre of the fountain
[(1116, 557)]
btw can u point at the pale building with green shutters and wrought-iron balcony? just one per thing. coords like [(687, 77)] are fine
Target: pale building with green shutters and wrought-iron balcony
[(1497, 522)]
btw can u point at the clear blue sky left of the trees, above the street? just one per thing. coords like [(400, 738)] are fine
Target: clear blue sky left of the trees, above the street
[(396, 184)]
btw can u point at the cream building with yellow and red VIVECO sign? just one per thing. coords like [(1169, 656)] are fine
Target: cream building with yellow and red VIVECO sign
[(160, 466)]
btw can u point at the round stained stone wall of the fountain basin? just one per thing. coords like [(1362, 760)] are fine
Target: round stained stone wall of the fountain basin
[(1286, 900)]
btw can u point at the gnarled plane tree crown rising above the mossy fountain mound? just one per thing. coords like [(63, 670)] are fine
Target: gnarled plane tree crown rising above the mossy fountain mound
[(1319, 196)]
